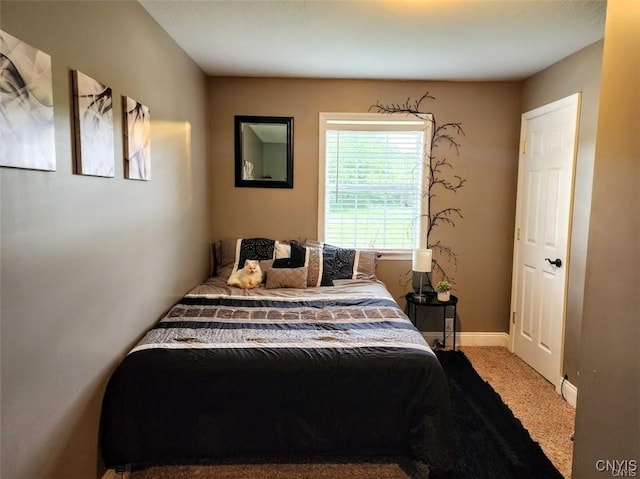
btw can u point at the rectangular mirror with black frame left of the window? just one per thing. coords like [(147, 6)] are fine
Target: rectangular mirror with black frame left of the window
[(264, 151)]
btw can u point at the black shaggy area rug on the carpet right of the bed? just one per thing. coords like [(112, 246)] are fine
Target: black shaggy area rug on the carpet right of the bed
[(491, 443)]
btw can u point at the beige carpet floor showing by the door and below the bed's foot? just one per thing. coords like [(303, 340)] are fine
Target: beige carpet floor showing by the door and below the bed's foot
[(547, 417)]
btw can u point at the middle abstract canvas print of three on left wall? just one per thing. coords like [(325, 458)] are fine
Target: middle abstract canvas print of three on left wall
[(93, 123)]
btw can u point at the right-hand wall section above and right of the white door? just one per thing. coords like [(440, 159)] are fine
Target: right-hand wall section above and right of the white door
[(578, 73)]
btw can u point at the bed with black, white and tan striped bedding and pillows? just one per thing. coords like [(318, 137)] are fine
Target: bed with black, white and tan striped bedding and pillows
[(333, 370)]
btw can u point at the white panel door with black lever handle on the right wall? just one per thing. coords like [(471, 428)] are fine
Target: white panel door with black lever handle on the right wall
[(543, 214)]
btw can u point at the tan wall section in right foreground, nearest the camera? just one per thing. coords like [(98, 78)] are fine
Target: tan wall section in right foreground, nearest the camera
[(608, 409)]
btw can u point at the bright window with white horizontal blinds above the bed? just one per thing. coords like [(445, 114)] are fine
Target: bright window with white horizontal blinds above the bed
[(372, 179)]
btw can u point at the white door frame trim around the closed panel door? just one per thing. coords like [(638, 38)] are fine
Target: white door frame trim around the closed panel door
[(568, 100)]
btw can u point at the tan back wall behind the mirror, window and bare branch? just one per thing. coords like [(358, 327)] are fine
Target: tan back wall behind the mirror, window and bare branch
[(490, 115)]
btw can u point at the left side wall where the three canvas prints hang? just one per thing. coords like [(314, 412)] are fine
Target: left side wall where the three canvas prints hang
[(88, 263)]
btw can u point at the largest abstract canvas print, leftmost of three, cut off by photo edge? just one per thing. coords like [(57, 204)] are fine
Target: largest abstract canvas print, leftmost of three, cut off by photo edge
[(27, 134)]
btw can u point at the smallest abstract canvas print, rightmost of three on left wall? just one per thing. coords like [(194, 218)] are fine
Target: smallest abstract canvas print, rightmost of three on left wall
[(137, 140)]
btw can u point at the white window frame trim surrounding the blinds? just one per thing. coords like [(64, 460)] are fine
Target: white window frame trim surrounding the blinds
[(401, 122)]
